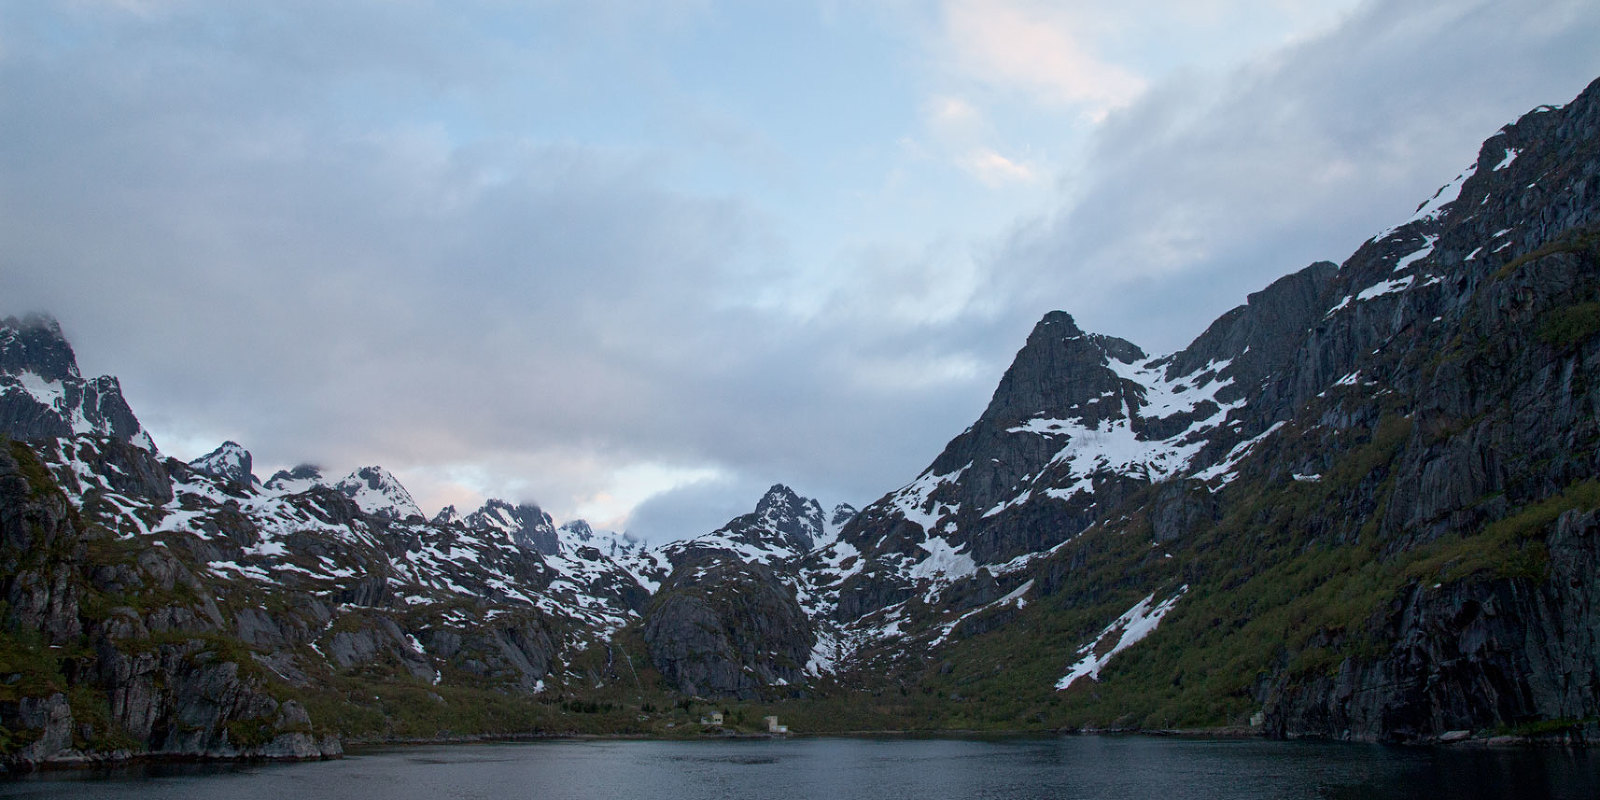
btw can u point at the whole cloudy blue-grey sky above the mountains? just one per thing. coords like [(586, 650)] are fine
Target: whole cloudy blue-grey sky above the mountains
[(639, 260)]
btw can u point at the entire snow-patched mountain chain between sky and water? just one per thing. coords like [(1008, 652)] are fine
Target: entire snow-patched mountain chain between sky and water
[(1362, 506)]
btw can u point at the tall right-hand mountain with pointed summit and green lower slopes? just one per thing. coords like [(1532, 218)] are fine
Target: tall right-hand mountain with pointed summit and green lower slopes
[(1361, 505)]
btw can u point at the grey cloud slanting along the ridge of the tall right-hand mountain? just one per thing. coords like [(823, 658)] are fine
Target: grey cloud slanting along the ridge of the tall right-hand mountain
[(1212, 186)]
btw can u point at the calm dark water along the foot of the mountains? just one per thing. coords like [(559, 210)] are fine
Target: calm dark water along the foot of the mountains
[(1087, 767)]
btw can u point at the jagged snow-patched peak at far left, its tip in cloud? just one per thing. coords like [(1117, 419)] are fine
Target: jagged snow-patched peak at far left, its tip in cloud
[(42, 394)]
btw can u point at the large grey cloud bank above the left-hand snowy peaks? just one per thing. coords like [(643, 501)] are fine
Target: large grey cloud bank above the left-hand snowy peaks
[(383, 294)]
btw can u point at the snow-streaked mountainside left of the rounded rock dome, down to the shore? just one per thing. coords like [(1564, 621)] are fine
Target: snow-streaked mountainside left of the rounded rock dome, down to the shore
[(186, 610)]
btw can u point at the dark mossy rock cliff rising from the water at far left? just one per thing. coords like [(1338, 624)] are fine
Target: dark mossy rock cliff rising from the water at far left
[(118, 674)]
